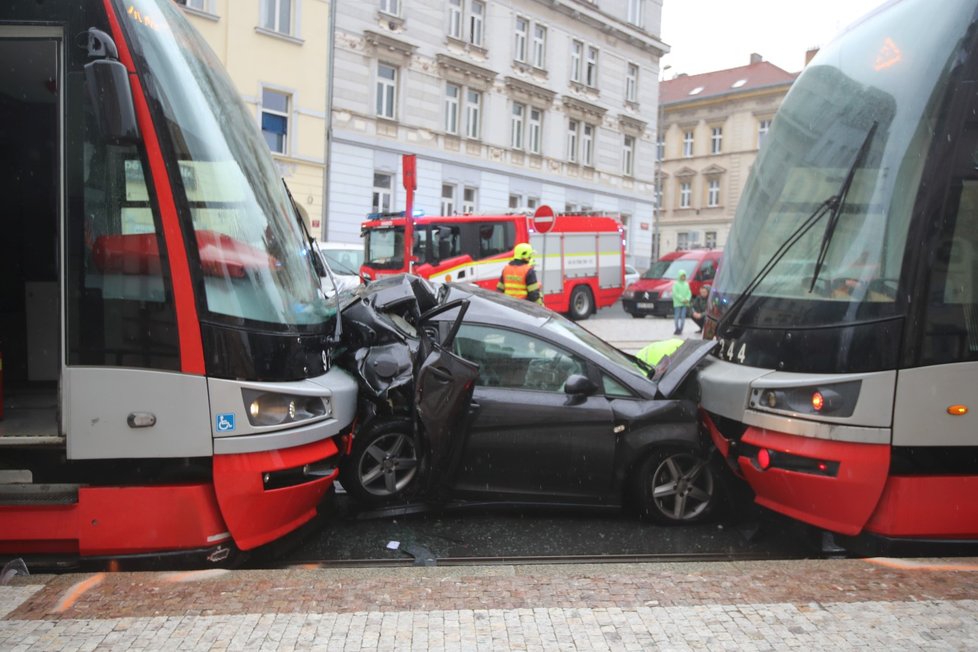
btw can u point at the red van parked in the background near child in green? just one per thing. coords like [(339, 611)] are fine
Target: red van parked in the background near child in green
[(652, 294)]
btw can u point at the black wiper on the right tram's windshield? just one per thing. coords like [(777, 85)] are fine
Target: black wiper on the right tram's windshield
[(833, 206)]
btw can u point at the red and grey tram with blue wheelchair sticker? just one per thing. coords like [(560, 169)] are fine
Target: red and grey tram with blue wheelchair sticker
[(167, 368)]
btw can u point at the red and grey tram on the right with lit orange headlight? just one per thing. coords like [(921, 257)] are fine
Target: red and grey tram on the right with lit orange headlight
[(844, 387)]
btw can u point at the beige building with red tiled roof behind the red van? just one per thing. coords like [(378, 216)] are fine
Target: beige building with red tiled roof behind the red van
[(713, 125)]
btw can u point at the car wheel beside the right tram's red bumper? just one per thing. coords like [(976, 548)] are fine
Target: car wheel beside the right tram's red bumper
[(675, 486)]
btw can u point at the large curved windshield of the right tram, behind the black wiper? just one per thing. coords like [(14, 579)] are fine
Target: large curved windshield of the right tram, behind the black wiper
[(883, 86)]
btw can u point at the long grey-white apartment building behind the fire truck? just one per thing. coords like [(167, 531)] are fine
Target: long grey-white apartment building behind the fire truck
[(507, 105)]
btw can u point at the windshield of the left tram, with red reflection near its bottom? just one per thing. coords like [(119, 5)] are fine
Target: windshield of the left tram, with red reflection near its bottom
[(255, 260)]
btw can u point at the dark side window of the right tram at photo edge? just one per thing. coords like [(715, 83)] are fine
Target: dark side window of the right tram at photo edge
[(952, 305)]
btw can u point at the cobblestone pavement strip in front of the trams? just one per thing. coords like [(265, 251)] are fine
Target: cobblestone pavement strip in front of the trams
[(816, 605)]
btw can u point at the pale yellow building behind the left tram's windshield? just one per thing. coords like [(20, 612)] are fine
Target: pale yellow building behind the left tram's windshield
[(276, 53)]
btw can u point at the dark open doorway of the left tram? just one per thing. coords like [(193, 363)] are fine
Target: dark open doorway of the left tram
[(30, 211)]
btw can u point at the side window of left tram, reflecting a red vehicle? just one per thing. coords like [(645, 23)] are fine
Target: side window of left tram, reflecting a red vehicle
[(120, 303)]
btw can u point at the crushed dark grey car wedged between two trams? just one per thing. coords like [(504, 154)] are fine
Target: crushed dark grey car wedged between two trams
[(472, 396)]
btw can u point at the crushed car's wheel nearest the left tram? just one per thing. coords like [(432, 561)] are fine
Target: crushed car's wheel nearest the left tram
[(383, 466)]
